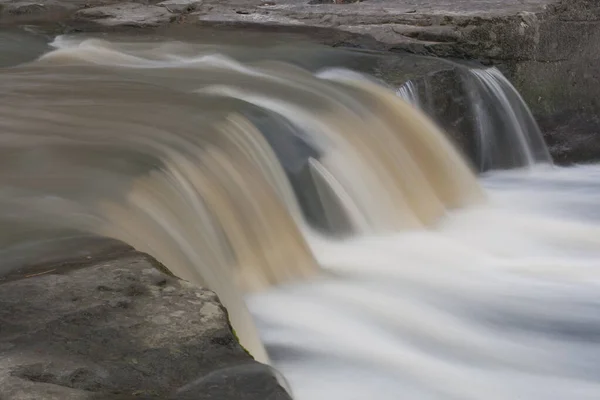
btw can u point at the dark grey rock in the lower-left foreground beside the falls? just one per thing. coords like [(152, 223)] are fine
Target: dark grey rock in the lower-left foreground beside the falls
[(114, 327)]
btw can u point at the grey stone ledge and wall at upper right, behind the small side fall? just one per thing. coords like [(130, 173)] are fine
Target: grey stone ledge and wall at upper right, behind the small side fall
[(549, 49)]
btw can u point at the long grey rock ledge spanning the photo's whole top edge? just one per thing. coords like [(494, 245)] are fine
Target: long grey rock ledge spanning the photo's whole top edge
[(496, 30)]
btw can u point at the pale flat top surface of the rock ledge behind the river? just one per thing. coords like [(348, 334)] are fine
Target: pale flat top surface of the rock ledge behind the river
[(322, 13)]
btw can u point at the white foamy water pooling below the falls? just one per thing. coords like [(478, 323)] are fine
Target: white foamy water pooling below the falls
[(498, 302)]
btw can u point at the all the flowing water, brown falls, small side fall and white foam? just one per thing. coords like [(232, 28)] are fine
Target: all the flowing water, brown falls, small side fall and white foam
[(439, 288)]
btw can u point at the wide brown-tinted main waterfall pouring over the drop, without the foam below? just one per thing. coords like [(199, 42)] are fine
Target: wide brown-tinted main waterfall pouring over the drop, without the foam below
[(208, 196)]
